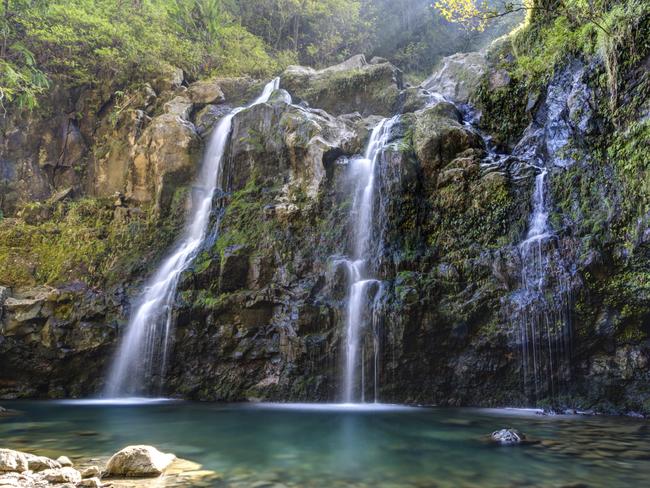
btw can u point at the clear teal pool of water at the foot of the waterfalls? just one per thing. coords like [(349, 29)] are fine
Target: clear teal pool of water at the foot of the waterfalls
[(311, 445)]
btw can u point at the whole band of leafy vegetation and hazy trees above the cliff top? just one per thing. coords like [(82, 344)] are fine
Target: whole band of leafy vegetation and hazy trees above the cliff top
[(80, 42)]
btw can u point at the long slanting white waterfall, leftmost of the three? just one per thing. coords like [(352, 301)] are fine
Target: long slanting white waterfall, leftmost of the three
[(141, 357)]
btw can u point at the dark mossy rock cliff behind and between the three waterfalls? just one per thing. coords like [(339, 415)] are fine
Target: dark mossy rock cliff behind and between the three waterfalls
[(260, 313)]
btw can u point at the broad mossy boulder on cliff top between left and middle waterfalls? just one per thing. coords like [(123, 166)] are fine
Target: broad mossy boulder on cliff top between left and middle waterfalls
[(354, 85)]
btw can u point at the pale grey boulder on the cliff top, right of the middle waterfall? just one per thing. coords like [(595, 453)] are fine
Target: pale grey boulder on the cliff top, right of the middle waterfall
[(457, 77)]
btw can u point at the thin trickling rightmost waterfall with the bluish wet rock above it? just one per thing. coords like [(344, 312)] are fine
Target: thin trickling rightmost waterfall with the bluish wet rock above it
[(542, 306)]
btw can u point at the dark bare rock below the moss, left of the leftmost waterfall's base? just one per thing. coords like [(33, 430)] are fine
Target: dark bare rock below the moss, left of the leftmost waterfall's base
[(53, 340)]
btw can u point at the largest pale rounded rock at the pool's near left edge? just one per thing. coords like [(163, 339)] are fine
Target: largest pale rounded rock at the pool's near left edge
[(134, 461)]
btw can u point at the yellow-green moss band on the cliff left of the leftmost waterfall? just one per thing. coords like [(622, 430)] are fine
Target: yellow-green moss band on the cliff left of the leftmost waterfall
[(81, 240)]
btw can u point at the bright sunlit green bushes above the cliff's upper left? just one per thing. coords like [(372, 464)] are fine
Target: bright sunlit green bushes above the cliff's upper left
[(81, 42)]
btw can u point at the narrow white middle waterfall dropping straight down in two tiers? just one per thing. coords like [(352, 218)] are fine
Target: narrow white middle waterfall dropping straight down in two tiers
[(362, 174)]
